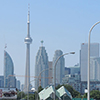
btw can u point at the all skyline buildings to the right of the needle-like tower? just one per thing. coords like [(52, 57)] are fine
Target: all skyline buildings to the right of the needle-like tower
[(75, 76)]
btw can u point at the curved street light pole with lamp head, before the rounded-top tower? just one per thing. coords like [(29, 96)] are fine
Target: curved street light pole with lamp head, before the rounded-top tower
[(55, 71)]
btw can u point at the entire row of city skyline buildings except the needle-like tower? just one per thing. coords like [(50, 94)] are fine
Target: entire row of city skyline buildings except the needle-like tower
[(76, 75)]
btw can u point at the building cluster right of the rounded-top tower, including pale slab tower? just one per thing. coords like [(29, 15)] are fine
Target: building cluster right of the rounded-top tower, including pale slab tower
[(77, 77)]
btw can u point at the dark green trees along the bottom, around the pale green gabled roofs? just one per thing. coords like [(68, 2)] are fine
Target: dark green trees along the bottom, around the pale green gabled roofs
[(95, 94)]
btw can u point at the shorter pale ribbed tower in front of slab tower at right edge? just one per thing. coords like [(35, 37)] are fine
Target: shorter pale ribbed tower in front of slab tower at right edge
[(95, 68)]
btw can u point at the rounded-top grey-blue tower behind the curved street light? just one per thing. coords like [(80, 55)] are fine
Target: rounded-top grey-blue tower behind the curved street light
[(60, 67)]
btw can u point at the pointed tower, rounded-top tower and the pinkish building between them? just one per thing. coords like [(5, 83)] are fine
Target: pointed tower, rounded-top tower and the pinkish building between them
[(42, 63)]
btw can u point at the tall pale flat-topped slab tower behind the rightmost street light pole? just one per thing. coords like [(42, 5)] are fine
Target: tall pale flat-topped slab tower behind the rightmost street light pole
[(94, 52)]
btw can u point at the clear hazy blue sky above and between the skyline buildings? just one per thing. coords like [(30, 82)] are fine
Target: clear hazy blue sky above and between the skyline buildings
[(61, 24)]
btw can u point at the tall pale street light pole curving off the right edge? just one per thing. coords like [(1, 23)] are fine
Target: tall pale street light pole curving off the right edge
[(88, 96)]
